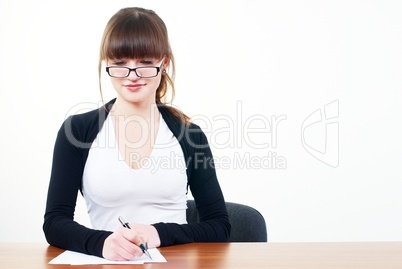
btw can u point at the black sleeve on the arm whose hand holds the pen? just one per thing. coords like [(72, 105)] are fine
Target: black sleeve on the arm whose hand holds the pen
[(66, 176)]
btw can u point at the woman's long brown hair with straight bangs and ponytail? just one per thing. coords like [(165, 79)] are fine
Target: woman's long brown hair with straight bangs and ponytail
[(140, 33)]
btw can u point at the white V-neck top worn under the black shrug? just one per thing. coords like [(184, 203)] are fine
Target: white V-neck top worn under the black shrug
[(154, 193)]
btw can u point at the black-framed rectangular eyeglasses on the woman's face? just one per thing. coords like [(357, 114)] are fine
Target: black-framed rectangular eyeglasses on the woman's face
[(142, 71)]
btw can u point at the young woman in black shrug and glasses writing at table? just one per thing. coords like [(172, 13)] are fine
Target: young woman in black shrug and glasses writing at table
[(135, 157)]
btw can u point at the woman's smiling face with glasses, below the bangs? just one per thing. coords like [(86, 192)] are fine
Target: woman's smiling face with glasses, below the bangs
[(140, 85)]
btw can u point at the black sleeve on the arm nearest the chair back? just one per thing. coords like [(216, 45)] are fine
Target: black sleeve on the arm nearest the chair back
[(214, 223)]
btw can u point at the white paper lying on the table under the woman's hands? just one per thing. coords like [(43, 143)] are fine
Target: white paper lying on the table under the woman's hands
[(76, 258)]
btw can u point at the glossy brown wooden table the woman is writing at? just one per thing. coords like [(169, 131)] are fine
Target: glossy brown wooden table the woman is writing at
[(379, 255)]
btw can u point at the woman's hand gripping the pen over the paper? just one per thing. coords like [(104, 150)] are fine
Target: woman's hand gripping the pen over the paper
[(122, 245)]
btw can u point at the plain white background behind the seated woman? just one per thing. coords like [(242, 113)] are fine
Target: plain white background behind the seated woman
[(240, 64)]
